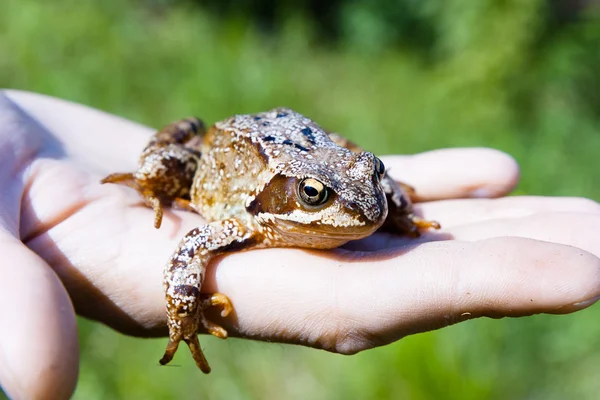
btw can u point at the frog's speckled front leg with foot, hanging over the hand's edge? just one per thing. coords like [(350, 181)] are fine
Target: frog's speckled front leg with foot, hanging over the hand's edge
[(183, 278)]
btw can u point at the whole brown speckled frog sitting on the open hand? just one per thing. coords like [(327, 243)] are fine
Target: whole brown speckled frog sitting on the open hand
[(269, 179)]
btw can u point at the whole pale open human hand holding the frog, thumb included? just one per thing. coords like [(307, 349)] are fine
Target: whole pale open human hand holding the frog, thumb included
[(70, 245)]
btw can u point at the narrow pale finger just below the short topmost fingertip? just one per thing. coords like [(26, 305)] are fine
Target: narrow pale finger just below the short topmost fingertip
[(459, 212)]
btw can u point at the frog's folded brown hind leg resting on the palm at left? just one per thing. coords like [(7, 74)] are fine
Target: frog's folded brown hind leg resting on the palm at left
[(166, 167)]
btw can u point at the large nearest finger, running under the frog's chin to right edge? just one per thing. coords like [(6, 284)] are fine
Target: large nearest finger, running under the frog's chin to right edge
[(346, 306)]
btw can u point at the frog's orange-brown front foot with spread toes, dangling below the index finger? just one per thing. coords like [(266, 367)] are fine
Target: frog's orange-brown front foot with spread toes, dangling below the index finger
[(186, 328)]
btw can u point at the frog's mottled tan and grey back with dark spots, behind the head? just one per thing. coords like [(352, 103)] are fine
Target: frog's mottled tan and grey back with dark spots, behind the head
[(241, 154)]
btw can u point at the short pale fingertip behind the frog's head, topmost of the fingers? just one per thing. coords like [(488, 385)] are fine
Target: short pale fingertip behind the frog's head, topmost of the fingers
[(456, 173)]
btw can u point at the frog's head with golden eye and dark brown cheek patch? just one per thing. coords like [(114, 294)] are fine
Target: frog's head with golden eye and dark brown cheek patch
[(323, 203)]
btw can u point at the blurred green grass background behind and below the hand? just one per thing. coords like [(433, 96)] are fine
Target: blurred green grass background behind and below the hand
[(492, 73)]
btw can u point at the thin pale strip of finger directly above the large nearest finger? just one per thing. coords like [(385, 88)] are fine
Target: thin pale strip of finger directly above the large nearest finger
[(574, 229)]
